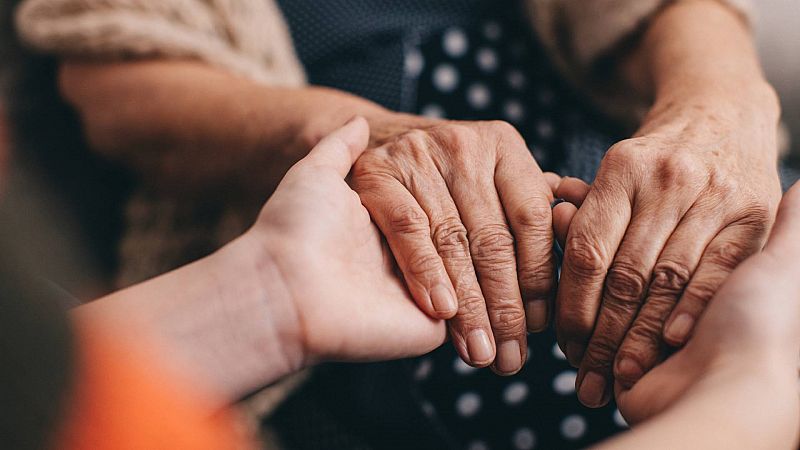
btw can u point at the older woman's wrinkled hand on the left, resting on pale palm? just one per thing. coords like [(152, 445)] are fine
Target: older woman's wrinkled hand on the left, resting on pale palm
[(466, 212)]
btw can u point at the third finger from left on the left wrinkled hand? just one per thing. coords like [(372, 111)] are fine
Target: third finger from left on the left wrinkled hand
[(491, 246)]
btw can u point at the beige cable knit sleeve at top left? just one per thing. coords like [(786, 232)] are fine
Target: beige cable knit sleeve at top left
[(246, 37)]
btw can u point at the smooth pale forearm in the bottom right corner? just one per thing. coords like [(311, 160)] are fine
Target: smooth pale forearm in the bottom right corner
[(734, 409)]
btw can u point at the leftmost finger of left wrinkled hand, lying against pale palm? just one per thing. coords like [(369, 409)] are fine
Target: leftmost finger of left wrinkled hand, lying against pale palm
[(408, 234)]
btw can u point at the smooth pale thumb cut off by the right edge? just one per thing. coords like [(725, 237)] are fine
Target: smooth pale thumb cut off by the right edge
[(784, 241)]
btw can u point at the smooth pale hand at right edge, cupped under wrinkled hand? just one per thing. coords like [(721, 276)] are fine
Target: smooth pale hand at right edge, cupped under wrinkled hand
[(752, 326)]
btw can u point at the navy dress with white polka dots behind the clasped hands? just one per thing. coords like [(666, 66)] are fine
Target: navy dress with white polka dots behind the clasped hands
[(469, 60)]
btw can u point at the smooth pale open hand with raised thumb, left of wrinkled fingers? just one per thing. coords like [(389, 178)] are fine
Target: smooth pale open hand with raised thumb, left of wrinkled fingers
[(348, 302)]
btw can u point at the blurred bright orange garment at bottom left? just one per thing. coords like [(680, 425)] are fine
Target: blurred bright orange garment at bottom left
[(121, 400)]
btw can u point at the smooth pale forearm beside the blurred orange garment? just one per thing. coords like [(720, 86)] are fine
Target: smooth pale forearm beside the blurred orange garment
[(224, 324)]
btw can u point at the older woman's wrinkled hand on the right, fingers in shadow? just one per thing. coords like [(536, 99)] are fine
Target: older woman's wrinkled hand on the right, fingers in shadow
[(671, 213)]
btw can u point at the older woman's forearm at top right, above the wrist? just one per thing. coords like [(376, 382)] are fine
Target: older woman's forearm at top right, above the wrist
[(699, 54)]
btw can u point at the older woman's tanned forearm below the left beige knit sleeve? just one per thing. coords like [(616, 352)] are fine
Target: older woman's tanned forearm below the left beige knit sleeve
[(188, 126)]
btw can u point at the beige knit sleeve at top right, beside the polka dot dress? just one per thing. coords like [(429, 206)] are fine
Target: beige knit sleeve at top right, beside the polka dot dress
[(578, 33)]
